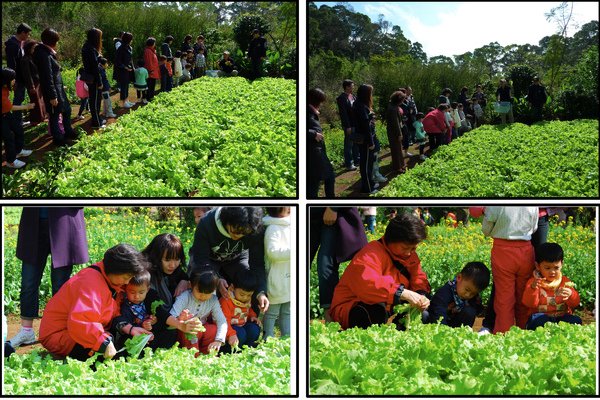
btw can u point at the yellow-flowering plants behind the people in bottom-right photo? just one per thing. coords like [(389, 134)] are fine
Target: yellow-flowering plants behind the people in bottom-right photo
[(446, 250)]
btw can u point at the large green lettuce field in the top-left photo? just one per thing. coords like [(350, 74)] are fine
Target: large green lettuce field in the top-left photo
[(208, 138)]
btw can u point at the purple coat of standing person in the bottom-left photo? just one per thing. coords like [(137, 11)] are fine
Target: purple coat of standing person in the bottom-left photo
[(68, 242)]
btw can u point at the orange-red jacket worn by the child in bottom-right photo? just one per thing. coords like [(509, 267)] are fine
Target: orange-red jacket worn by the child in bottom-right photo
[(543, 300)]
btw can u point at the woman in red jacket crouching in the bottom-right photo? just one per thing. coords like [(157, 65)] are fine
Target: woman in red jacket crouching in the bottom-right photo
[(384, 273)]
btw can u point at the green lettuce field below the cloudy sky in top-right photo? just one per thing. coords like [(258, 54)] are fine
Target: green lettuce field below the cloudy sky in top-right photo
[(550, 159)]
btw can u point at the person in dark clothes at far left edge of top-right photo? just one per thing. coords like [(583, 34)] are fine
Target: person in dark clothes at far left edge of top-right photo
[(319, 166)]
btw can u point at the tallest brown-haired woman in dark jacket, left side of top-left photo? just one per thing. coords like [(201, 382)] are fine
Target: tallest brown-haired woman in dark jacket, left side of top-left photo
[(55, 98)]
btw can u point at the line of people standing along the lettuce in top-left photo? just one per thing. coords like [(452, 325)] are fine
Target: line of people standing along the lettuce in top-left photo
[(33, 68)]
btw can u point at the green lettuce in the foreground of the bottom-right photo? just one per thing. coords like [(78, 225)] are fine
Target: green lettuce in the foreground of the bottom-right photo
[(559, 359)]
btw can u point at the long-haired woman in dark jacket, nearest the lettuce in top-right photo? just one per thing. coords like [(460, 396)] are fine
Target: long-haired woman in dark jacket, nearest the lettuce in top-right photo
[(365, 128)]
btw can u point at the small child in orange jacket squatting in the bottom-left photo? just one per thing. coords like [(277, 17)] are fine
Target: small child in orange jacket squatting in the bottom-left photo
[(243, 326)]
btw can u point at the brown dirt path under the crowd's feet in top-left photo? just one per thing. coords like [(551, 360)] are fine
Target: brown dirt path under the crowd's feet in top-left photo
[(41, 144)]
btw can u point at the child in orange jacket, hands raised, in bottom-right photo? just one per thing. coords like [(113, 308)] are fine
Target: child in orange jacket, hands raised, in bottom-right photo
[(550, 296)]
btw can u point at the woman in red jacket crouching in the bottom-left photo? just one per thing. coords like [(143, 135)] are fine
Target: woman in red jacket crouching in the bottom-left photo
[(78, 317)]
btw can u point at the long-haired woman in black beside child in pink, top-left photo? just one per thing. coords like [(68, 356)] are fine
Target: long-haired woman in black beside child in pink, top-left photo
[(90, 52)]
